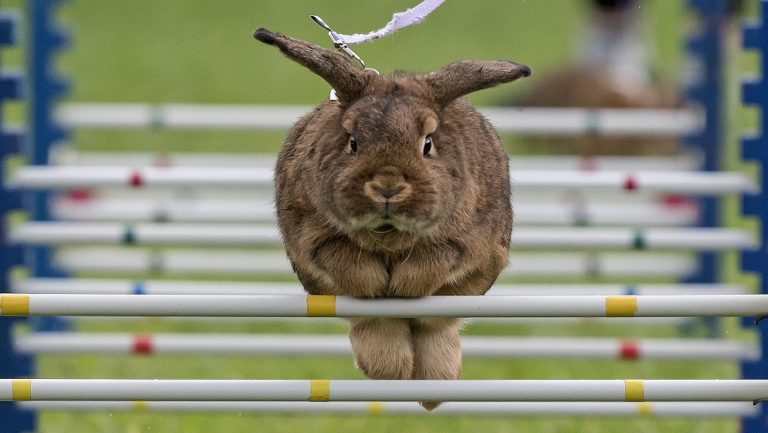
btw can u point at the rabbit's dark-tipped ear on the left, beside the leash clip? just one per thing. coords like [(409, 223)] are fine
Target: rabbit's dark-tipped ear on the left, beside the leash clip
[(347, 78)]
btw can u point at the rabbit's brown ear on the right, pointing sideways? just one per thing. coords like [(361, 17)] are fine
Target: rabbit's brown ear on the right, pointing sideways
[(461, 78)]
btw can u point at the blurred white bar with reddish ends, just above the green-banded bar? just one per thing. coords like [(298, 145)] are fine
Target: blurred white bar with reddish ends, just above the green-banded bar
[(80, 207)]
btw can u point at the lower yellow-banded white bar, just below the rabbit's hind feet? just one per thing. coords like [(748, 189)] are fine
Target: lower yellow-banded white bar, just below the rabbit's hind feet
[(384, 390)]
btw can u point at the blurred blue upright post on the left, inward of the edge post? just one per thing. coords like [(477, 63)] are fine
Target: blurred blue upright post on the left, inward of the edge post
[(46, 40)]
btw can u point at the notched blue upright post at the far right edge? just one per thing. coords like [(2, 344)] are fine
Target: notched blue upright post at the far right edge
[(755, 148)]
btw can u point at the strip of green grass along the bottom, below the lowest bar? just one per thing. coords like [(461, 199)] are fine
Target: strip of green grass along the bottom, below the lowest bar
[(119, 422)]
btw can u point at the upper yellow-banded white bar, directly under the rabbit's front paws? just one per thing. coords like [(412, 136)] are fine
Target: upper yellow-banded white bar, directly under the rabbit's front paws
[(431, 306)]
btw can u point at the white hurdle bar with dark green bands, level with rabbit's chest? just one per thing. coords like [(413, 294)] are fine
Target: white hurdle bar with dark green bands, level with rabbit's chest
[(178, 234)]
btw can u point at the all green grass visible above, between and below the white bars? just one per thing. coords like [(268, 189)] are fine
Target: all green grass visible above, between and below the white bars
[(200, 51)]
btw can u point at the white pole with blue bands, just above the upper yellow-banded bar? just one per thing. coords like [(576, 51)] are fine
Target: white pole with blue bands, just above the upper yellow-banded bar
[(190, 287)]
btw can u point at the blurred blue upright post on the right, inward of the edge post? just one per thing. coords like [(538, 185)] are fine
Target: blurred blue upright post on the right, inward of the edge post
[(705, 90)]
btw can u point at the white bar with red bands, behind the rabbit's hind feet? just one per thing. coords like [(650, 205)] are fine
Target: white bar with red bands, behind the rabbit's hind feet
[(325, 345)]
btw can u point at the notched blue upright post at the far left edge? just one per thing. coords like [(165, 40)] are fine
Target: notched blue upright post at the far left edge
[(11, 364)]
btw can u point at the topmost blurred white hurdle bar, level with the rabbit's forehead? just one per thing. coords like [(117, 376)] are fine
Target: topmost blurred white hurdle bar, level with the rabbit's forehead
[(520, 120)]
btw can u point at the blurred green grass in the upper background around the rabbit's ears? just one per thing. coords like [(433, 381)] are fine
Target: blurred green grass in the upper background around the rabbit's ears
[(202, 51)]
